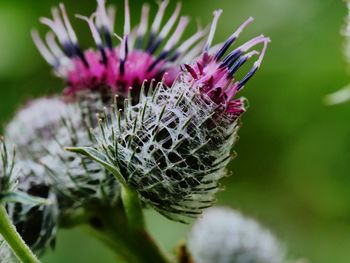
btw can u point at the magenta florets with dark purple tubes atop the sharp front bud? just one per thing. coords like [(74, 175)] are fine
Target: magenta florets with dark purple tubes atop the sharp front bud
[(215, 75)]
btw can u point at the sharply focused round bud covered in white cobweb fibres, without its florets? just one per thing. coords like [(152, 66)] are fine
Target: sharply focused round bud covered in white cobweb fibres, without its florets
[(172, 148)]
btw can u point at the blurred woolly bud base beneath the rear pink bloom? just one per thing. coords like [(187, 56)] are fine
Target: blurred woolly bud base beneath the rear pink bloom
[(79, 181)]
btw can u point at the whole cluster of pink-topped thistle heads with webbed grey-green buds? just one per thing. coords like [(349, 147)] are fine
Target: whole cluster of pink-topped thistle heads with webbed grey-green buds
[(168, 135)]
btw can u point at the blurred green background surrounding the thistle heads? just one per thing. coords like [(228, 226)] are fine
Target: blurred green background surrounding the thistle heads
[(292, 169)]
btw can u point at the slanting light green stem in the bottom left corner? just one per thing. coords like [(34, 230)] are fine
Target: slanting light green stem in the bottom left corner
[(14, 240)]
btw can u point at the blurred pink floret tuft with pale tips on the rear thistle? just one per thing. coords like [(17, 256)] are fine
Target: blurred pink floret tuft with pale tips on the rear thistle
[(114, 69)]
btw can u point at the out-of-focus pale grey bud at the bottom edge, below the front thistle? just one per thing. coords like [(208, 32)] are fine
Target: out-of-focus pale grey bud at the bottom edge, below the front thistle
[(225, 236)]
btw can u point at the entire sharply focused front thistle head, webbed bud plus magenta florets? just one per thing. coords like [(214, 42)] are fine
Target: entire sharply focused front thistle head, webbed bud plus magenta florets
[(173, 146)]
